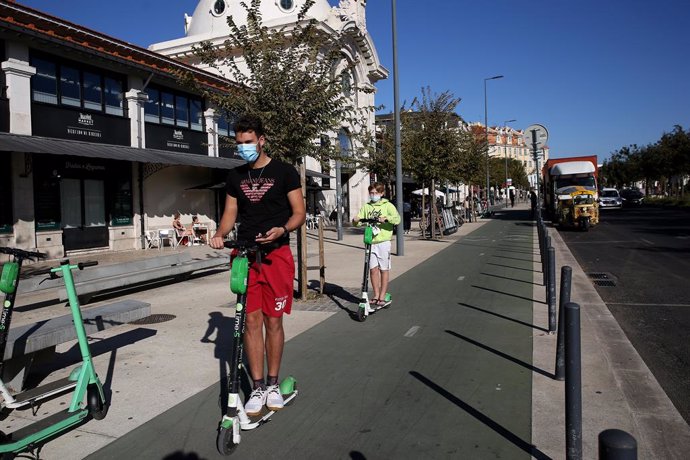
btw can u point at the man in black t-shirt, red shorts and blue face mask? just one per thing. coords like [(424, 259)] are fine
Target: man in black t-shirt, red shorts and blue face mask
[(267, 196)]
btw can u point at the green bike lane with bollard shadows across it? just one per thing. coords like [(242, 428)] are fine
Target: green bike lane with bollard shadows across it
[(445, 372)]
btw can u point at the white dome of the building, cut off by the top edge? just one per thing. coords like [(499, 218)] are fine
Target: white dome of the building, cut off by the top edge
[(210, 16)]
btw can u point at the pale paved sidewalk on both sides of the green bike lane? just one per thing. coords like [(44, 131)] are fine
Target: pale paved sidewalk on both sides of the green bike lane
[(153, 367)]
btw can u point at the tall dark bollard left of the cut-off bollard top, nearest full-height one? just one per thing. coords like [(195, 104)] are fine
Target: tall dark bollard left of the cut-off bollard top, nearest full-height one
[(573, 383)]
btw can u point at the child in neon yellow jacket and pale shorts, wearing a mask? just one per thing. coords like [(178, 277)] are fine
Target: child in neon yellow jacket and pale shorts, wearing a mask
[(388, 217)]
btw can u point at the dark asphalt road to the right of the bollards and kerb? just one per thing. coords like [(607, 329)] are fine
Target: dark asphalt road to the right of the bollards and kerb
[(645, 252)]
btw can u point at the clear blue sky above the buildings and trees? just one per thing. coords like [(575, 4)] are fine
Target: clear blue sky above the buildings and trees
[(599, 75)]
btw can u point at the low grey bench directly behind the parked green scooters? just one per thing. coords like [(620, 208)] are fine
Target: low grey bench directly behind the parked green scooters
[(25, 343)]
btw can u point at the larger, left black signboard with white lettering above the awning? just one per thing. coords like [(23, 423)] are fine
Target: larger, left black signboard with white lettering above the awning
[(67, 123)]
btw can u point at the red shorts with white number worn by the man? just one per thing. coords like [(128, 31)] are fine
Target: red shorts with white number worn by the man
[(271, 286)]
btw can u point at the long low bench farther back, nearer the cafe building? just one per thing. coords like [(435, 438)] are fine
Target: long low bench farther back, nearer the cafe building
[(101, 279)]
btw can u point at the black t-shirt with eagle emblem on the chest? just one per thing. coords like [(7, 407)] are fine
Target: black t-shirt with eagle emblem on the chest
[(261, 194)]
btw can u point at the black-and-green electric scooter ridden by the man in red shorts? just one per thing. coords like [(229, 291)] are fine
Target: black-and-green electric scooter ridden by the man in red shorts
[(236, 418)]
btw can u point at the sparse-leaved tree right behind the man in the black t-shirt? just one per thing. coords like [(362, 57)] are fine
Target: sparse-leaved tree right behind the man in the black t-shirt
[(293, 78)]
